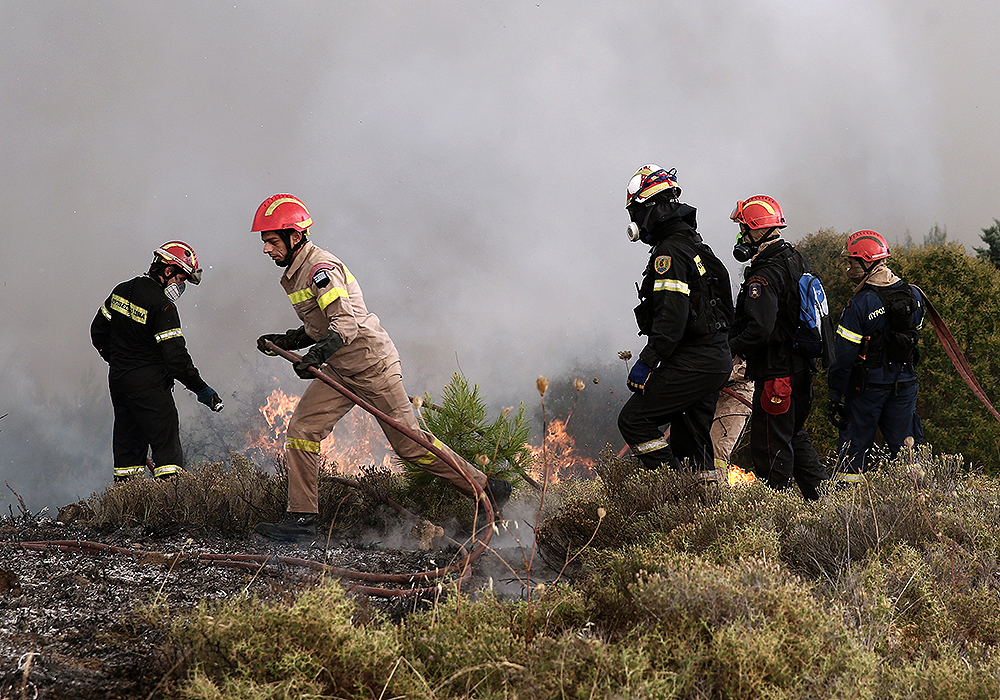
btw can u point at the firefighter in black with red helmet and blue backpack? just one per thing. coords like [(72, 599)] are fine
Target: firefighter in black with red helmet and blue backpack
[(767, 309)]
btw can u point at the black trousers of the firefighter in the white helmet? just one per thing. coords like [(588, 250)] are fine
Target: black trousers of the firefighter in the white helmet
[(684, 399)]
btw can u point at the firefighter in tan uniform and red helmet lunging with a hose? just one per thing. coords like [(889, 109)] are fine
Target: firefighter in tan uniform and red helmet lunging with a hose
[(352, 346)]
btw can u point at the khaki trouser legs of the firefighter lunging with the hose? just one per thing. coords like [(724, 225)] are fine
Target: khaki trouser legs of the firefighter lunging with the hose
[(321, 406)]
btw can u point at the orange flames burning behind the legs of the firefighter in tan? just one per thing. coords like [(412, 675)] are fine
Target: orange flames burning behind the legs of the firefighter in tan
[(356, 441)]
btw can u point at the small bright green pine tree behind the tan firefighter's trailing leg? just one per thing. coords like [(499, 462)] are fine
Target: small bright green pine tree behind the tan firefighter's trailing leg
[(498, 447)]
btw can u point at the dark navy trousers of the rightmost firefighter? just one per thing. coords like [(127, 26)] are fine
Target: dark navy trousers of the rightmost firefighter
[(889, 407)]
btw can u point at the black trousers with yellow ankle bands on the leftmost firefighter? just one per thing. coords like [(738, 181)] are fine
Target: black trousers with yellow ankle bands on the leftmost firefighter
[(145, 418)]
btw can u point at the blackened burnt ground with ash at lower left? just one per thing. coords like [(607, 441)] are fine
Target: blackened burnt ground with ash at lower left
[(78, 625)]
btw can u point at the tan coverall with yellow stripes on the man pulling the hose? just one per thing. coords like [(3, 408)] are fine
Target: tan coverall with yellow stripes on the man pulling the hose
[(326, 296)]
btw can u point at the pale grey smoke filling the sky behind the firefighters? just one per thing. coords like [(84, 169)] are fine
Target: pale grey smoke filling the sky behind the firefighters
[(467, 160)]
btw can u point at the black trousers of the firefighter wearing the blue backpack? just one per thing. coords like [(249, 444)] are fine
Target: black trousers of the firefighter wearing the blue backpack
[(781, 443)]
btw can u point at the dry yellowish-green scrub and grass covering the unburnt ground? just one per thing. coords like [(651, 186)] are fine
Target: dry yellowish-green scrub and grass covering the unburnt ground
[(889, 589)]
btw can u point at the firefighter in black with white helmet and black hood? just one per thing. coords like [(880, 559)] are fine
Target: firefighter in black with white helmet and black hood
[(685, 310)]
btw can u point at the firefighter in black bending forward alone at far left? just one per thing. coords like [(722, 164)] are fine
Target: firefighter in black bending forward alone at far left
[(138, 333)]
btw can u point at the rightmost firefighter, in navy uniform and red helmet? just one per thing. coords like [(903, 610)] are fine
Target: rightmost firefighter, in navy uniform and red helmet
[(873, 382)]
